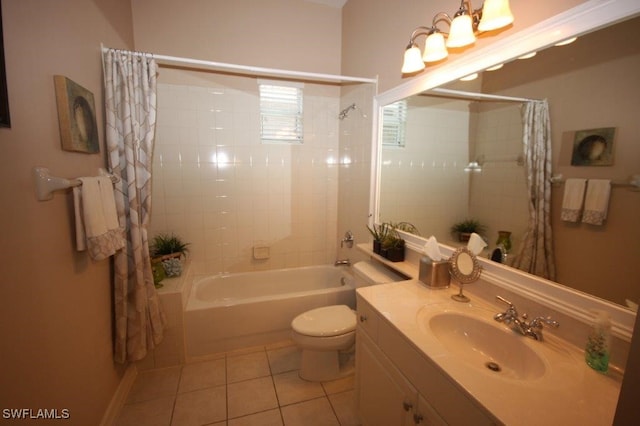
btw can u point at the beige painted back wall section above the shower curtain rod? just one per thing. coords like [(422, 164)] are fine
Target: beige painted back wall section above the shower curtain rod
[(285, 34)]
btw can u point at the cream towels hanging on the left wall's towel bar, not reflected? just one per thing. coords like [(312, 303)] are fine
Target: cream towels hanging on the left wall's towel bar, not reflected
[(97, 227)]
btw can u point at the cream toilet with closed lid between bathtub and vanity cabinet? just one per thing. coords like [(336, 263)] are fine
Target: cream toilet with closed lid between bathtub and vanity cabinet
[(326, 335)]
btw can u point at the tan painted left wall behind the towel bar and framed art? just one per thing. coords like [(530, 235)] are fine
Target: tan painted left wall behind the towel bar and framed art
[(55, 304)]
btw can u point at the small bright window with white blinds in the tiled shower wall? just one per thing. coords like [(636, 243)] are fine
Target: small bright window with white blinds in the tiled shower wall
[(280, 112)]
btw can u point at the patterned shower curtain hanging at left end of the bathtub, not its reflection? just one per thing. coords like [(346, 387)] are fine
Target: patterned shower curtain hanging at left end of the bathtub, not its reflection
[(130, 101)]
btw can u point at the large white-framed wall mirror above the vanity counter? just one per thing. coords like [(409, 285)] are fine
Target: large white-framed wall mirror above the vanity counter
[(591, 83)]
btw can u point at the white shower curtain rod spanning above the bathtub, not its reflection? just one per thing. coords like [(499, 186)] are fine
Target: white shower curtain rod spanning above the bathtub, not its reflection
[(168, 60)]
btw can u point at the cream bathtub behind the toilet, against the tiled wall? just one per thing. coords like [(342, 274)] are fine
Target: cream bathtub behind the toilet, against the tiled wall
[(227, 312)]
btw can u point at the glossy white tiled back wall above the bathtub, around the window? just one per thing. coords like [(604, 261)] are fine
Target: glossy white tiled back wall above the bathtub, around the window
[(217, 186)]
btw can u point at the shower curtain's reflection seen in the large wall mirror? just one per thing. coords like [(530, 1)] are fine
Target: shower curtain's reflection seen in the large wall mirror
[(536, 252)]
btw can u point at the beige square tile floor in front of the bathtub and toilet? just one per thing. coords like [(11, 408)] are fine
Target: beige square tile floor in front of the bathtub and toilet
[(253, 386)]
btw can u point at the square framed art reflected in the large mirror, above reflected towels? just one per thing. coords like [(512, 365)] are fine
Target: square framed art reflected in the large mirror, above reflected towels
[(593, 147)]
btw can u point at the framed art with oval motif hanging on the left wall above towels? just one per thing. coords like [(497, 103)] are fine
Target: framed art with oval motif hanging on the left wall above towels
[(76, 116)]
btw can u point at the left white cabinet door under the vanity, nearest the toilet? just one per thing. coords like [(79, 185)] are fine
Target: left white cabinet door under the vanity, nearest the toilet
[(384, 397)]
